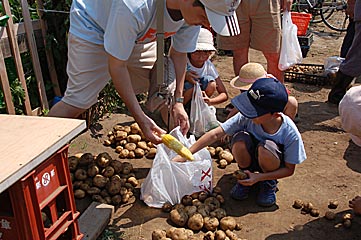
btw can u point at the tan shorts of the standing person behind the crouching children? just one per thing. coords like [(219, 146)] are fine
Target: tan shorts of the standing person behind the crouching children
[(260, 23)]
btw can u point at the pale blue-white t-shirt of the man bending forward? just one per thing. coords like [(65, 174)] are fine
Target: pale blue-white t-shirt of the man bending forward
[(120, 24)]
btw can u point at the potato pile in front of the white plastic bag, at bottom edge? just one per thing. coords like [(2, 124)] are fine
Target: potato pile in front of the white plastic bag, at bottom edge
[(200, 213)]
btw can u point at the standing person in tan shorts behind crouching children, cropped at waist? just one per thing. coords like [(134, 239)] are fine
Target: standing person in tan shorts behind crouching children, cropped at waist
[(260, 23)]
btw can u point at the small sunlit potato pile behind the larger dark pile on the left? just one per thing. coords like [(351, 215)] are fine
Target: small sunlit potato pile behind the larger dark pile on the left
[(129, 142)]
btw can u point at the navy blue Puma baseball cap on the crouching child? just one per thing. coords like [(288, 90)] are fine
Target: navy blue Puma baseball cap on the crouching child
[(266, 95)]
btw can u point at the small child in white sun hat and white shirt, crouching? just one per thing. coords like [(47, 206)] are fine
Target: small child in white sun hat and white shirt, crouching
[(200, 69)]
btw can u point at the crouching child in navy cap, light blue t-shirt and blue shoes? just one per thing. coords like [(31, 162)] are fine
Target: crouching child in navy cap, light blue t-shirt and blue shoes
[(265, 143)]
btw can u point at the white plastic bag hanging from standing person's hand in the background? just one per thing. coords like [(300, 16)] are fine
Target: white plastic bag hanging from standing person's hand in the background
[(290, 53)]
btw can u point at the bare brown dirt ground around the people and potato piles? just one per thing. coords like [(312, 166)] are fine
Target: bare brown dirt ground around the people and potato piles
[(331, 171)]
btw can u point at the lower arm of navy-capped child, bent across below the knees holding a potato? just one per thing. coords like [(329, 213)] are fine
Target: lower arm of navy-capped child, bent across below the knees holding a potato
[(281, 172)]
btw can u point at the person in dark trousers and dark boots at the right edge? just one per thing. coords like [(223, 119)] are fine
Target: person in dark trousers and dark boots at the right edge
[(350, 67)]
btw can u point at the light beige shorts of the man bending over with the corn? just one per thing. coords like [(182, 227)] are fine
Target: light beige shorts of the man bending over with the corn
[(88, 70)]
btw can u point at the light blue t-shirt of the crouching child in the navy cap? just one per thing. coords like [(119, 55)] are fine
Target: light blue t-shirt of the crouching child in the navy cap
[(287, 135)]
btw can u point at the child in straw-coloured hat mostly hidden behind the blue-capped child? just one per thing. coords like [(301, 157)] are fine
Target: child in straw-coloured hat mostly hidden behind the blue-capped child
[(249, 73)]
